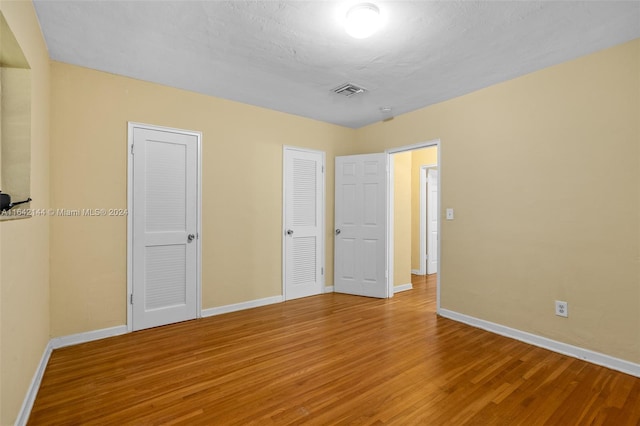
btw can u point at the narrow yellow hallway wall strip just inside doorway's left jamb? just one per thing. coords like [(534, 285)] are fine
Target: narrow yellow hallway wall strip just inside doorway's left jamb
[(402, 218)]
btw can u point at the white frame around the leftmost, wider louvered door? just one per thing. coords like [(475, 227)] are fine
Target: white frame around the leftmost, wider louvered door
[(130, 126)]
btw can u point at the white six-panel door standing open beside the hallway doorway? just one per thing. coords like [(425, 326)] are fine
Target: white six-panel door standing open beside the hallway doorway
[(361, 225)]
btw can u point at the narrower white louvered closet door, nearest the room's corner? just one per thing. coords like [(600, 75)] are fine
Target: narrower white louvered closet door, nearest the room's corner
[(303, 223)]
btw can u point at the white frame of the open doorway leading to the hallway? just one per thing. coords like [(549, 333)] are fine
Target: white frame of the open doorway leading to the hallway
[(390, 203)]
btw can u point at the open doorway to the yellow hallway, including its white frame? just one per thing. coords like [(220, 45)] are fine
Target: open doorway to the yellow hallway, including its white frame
[(407, 245)]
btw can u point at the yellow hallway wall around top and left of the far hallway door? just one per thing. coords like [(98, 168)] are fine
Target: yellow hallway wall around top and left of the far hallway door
[(420, 157)]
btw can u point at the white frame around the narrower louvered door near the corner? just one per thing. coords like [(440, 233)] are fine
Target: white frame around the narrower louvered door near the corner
[(323, 225)]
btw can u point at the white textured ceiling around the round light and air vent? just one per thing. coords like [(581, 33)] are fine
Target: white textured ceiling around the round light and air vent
[(289, 55)]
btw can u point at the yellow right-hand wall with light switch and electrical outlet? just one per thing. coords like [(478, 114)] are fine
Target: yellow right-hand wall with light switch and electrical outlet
[(543, 173)]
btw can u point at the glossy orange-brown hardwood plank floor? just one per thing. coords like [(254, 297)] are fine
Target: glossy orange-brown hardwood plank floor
[(329, 359)]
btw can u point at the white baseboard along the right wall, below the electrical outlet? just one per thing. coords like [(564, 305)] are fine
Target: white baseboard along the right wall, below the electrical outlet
[(593, 357)]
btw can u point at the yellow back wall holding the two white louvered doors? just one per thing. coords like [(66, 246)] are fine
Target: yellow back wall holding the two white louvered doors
[(242, 191)]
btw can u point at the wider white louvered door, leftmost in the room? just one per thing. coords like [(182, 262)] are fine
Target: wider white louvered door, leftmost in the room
[(164, 208)]
